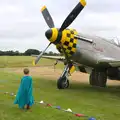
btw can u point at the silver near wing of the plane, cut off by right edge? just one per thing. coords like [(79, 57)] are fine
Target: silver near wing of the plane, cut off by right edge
[(109, 62)]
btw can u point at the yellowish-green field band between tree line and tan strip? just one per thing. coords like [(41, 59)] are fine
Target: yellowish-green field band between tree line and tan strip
[(25, 61)]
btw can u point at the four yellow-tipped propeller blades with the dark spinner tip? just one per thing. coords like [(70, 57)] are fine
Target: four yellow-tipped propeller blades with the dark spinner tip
[(69, 19)]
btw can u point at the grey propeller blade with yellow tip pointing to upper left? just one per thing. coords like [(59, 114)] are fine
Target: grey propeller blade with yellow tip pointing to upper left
[(47, 17)]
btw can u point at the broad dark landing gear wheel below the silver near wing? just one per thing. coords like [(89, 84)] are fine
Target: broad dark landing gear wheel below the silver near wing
[(98, 78)]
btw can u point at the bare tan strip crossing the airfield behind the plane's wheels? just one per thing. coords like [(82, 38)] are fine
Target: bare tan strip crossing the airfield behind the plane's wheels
[(54, 74)]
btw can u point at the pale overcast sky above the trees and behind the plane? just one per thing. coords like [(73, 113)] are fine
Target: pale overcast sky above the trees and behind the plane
[(22, 25)]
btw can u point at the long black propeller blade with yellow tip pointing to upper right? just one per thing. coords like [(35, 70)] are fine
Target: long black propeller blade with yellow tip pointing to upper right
[(71, 17)]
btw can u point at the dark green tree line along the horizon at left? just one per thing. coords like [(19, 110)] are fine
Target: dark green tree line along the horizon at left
[(28, 52)]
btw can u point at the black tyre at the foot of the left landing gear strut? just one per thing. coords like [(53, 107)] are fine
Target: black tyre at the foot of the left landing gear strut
[(62, 83)]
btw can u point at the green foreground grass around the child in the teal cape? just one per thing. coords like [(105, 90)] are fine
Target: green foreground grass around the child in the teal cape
[(102, 103)]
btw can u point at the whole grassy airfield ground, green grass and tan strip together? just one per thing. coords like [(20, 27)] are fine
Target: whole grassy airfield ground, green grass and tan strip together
[(101, 103)]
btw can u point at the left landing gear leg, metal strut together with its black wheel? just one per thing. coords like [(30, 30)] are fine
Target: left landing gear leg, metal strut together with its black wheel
[(63, 81)]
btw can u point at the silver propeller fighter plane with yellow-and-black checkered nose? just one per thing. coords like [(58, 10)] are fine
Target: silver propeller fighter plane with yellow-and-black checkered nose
[(91, 54)]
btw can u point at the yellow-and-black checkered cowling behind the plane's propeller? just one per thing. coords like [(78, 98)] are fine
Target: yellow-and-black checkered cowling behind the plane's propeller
[(68, 42)]
